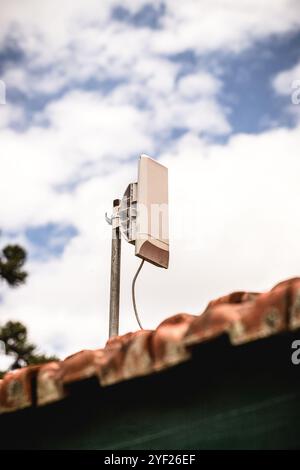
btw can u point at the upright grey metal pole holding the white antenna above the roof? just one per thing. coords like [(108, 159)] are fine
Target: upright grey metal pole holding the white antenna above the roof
[(115, 272)]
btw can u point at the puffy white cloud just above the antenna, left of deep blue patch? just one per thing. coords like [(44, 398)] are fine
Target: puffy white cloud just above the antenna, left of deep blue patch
[(191, 102)]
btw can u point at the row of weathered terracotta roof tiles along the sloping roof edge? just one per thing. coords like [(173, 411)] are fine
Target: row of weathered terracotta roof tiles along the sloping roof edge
[(242, 316)]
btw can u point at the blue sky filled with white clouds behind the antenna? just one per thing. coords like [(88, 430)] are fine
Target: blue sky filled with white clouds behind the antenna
[(208, 87)]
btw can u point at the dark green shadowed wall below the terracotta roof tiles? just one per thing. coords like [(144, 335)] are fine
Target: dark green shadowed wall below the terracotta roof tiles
[(224, 398)]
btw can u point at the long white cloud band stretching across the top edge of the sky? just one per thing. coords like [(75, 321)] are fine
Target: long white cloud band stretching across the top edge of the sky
[(86, 43)]
